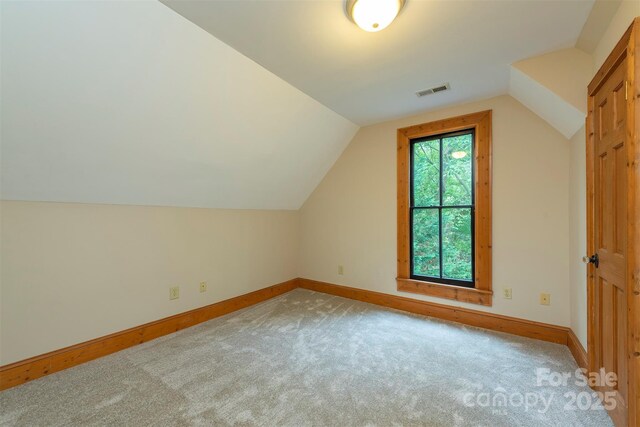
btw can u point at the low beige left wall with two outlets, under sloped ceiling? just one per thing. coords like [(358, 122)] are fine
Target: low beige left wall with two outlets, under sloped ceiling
[(73, 272)]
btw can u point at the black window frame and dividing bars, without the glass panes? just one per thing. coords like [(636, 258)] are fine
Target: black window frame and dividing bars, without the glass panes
[(440, 207)]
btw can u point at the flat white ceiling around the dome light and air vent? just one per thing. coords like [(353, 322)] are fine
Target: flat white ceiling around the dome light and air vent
[(371, 77)]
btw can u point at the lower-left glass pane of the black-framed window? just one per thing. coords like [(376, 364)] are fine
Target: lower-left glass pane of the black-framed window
[(426, 242)]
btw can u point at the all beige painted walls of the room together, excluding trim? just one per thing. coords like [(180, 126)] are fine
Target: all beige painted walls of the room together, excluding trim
[(72, 272)]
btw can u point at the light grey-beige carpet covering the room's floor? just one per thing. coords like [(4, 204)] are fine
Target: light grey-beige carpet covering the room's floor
[(306, 359)]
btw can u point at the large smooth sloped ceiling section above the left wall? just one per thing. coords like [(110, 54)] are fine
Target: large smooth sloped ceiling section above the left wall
[(130, 103)]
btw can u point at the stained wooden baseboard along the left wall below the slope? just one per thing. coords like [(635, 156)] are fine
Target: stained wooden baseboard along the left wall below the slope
[(48, 363)]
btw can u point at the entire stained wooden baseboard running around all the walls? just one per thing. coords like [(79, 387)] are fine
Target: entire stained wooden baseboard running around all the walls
[(30, 369)]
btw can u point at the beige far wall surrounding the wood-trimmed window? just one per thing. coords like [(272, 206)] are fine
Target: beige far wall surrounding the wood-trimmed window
[(350, 219)]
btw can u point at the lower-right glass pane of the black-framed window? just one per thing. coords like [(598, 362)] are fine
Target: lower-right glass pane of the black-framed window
[(456, 243)]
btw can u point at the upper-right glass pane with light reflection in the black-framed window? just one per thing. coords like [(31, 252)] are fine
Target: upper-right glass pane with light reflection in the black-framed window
[(457, 155)]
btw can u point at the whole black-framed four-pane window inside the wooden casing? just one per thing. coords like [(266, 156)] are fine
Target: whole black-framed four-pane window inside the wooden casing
[(442, 208)]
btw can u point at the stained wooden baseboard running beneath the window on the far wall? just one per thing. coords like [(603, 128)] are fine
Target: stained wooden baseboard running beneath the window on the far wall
[(495, 322)]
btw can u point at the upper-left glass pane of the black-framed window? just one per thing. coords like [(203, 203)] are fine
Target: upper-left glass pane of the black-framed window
[(426, 173)]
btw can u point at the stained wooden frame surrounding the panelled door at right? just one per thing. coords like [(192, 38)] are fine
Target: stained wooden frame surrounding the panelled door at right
[(627, 47)]
